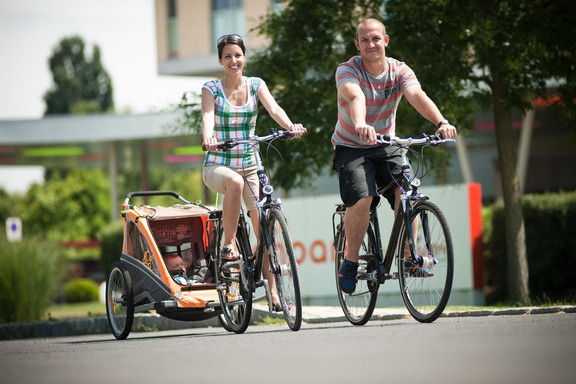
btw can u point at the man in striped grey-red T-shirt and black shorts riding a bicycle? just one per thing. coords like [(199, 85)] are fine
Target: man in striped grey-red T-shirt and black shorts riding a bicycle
[(370, 87)]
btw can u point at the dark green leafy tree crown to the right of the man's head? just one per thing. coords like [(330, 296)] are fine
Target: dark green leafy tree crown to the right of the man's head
[(464, 50)]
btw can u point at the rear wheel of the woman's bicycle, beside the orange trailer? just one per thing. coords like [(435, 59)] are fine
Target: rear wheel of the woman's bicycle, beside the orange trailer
[(235, 299)]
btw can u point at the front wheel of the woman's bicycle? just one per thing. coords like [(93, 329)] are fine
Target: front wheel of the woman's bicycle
[(285, 270)]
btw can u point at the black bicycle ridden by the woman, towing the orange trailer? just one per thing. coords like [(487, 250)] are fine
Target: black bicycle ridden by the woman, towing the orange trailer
[(237, 281)]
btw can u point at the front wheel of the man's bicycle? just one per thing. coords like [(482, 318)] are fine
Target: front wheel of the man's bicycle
[(426, 288)]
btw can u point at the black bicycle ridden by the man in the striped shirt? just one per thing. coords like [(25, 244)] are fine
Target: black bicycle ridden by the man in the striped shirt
[(420, 243)]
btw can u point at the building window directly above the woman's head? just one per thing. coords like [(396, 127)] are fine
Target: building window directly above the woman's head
[(227, 17)]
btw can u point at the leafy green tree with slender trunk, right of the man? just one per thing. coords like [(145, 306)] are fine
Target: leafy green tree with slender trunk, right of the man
[(505, 53)]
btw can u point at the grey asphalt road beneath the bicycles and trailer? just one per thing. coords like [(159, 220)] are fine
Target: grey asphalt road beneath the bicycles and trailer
[(492, 349)]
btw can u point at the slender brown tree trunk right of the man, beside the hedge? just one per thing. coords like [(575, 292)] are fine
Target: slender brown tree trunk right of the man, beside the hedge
[(517, 265)]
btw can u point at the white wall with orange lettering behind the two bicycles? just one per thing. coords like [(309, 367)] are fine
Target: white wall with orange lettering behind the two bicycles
[(310, 223)]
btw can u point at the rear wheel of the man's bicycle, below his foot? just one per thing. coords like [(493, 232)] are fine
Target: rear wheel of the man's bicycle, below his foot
[(359, 305)]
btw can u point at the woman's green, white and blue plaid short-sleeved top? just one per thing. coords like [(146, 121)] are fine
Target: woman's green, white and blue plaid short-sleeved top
[(234, 122)]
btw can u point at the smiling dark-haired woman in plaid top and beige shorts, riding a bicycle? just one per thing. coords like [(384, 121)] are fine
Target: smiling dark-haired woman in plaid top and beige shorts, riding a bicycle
[(229, 110)]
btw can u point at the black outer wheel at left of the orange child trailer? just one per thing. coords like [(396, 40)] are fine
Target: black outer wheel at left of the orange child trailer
[(119, 301)]
